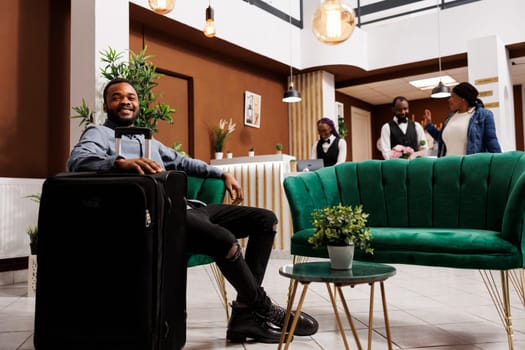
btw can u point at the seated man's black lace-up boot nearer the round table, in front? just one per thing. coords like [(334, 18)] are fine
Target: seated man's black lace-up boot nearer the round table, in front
[(306, 324)]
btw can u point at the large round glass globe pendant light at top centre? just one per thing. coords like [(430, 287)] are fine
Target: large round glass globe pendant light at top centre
[(333, 22)]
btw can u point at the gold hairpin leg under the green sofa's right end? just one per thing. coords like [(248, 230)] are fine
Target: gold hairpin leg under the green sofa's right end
[(500, 301)]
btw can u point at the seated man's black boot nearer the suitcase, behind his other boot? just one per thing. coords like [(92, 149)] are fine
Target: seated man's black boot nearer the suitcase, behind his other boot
[(245, 324)]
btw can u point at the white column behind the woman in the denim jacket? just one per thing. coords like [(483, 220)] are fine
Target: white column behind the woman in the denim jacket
[(488, 71)]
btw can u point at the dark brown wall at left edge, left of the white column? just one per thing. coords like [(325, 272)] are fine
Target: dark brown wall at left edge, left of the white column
[(34, 89)]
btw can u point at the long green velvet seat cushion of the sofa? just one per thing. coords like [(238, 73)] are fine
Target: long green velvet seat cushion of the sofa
[(464, 248)]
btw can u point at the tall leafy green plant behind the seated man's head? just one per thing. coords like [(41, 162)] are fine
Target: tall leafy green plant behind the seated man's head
[(143, 74)]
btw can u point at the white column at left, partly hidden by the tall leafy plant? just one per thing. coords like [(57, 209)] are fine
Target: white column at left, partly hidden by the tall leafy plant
[(96, 25)]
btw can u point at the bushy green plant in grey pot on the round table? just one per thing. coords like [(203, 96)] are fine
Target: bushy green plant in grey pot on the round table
[(341, 228)]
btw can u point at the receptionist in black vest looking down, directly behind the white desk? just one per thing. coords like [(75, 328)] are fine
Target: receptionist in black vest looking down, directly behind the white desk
[(331, 148)]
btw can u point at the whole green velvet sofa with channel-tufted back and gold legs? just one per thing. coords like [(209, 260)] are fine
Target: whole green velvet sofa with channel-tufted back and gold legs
[(456, 211)]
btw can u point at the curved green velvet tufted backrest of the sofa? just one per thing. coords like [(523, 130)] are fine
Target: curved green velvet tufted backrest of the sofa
[(454, 191)]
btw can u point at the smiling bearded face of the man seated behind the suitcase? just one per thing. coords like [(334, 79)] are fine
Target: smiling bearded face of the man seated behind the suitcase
[(122, 104)]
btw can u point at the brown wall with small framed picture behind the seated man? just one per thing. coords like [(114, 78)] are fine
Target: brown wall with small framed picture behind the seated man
[(217, 91)]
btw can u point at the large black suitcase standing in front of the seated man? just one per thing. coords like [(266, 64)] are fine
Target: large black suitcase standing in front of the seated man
[(112, 262)]
